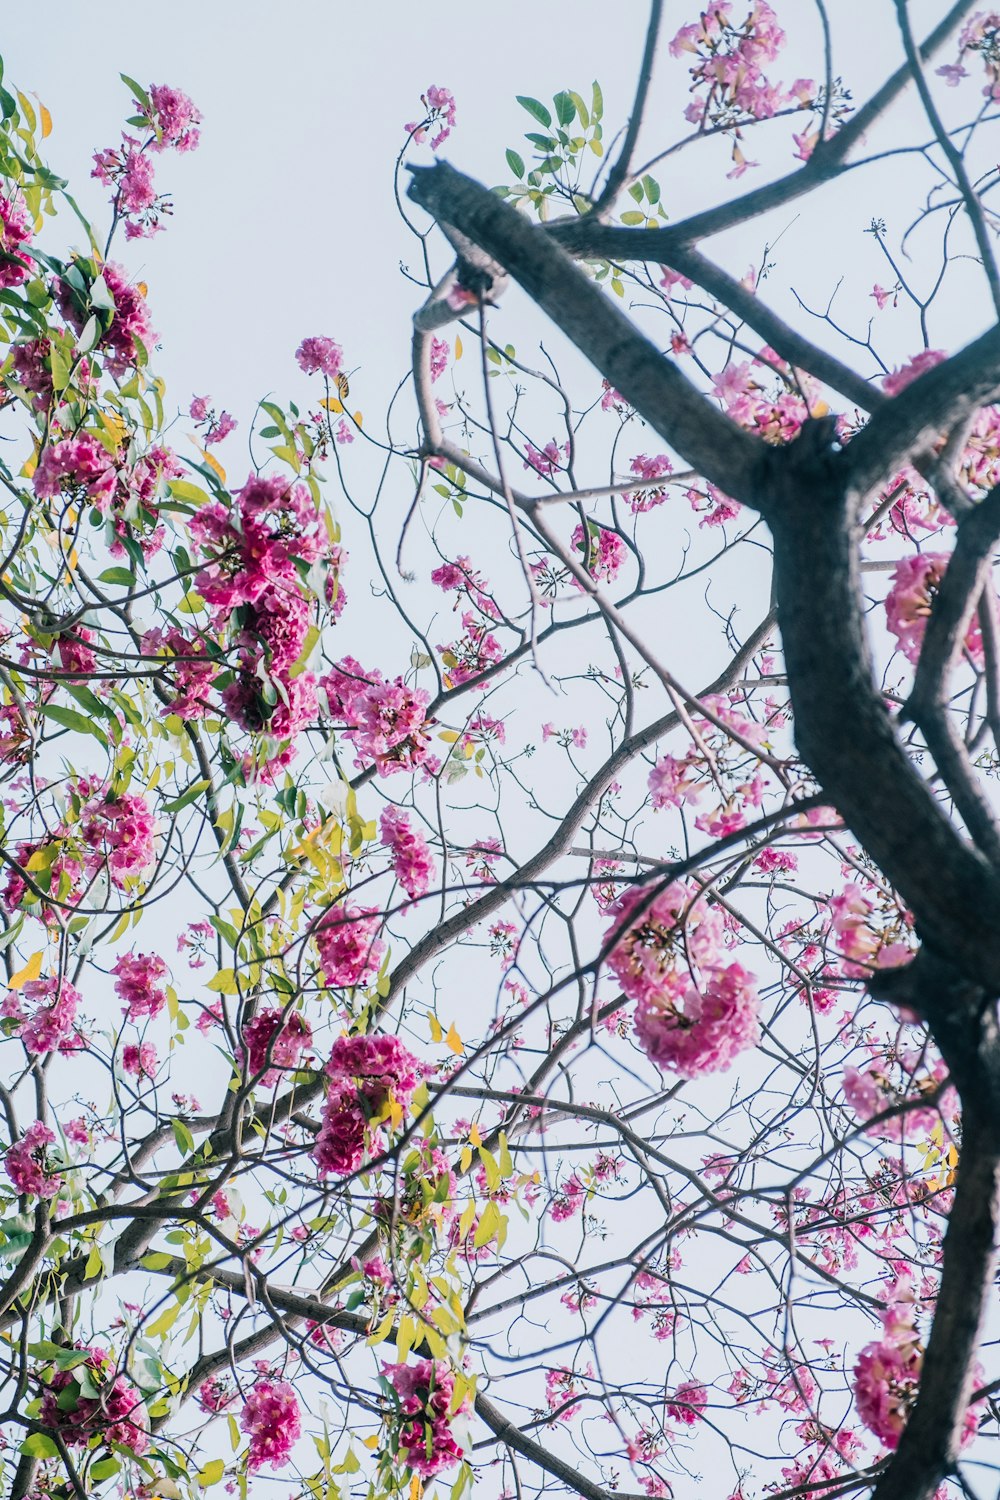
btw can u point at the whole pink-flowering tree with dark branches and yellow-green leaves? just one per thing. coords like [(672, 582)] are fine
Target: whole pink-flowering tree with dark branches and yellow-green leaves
[(452, 1052)]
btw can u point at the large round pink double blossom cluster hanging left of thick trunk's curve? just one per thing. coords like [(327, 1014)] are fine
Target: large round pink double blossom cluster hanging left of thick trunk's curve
[(695, 1010)]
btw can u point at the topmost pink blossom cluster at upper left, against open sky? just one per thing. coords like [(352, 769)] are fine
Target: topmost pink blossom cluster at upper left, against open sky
[(172, 122)]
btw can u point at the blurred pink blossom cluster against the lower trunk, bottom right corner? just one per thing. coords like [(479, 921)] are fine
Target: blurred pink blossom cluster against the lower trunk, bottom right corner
[(888, 1370)]
